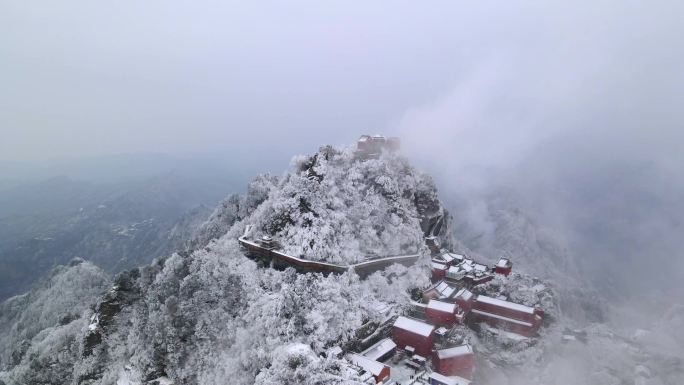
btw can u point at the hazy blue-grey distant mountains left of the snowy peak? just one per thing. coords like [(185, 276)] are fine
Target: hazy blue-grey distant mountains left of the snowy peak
[(118, 213)]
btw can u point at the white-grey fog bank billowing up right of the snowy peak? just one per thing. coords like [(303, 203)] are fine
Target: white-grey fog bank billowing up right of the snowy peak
[(575, 116)]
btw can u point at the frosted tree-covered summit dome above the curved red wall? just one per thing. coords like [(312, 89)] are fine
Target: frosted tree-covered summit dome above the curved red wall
[(339, 206)]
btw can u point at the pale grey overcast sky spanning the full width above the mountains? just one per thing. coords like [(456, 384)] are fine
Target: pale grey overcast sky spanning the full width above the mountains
[(491, 79)]
